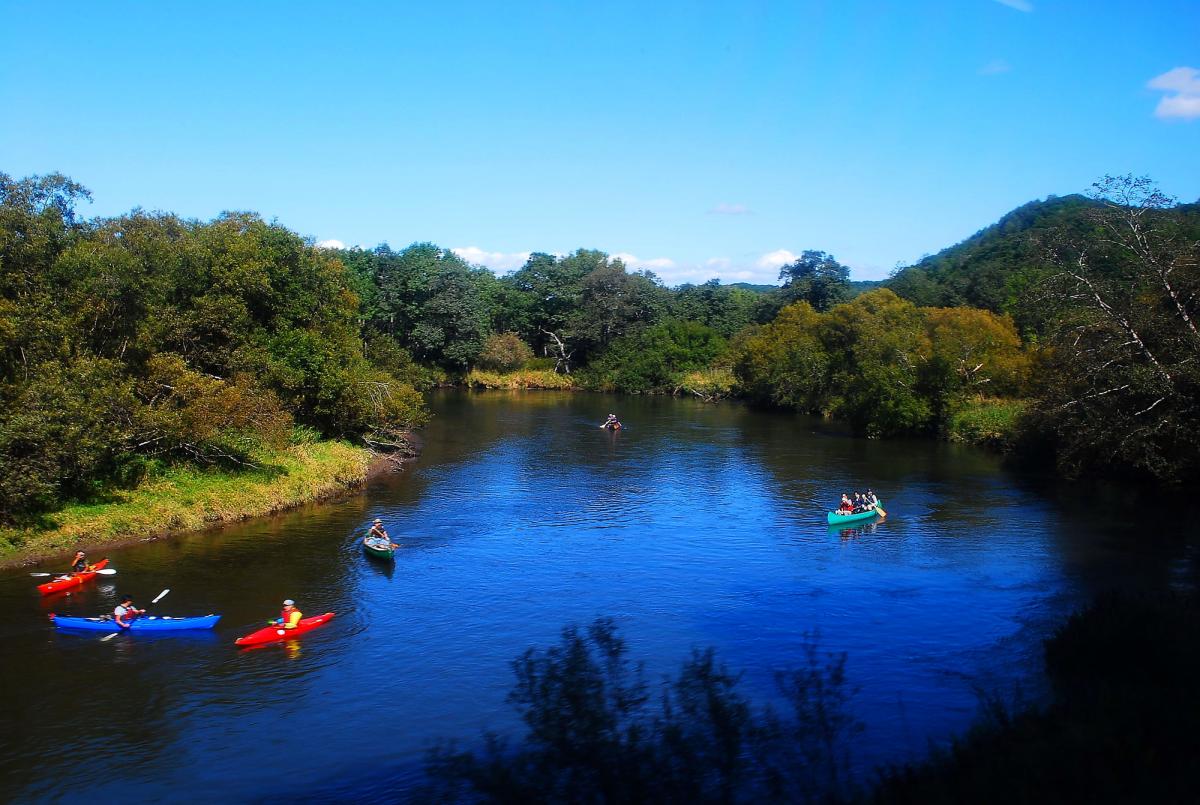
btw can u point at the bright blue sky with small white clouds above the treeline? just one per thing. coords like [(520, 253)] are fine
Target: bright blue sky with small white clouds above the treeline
[(698, 139)]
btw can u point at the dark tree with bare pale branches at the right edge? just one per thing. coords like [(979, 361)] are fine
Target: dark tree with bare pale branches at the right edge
[(1126, 388)]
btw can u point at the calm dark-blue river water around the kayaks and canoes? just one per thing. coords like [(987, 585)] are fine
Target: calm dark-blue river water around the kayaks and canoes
[(697, 526)]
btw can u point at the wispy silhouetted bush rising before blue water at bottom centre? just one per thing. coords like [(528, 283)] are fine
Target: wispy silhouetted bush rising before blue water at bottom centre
[(598, 732)]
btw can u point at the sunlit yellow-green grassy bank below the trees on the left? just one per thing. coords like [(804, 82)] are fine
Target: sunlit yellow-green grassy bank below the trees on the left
[(184, 500)]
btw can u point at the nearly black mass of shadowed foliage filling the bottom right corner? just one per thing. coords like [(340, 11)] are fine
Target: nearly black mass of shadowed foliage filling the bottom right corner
[(1123, 726)]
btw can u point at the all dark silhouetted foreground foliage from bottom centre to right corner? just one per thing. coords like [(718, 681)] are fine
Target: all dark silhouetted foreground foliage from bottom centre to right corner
[(1118, 728)]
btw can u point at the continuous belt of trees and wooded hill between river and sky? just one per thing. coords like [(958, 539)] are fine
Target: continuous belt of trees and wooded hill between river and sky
[(147, 345)]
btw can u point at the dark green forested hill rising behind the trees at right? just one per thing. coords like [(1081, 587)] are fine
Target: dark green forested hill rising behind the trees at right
[(991, 268)]
